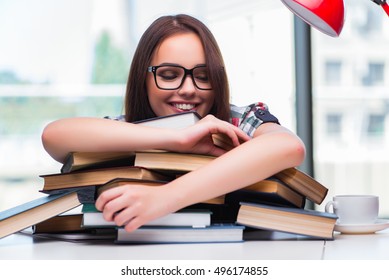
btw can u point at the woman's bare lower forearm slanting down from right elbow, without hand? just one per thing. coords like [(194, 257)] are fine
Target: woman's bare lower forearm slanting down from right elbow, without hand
[(251, 162)]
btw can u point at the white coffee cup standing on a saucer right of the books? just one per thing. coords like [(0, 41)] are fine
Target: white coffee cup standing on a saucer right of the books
[(354, 209)]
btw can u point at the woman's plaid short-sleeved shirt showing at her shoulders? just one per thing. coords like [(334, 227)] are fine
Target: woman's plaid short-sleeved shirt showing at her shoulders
[(248, 118)]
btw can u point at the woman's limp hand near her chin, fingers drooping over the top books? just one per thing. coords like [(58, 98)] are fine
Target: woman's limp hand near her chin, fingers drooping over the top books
[(198, 138)]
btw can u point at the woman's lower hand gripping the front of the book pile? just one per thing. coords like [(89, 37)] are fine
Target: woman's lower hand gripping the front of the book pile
[(133, 206)]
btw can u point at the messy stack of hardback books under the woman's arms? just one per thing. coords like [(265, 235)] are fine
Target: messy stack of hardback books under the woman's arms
[(274, 204)]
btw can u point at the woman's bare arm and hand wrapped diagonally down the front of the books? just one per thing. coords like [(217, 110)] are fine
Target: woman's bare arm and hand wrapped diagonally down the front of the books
[(273, 149)]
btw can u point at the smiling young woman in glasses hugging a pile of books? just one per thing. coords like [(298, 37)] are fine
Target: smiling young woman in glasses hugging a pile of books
[(178, 67)]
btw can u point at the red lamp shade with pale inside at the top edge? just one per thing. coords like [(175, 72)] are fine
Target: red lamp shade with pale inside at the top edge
[(325, 15)]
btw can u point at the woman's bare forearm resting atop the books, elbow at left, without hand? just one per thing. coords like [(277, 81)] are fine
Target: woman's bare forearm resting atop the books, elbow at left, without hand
[(94, 134)]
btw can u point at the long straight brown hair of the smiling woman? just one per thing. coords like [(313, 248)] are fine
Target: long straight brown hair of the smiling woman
[(137, 106)]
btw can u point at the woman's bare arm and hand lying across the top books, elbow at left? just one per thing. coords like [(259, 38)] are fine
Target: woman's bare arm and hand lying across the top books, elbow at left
[(94, 134)]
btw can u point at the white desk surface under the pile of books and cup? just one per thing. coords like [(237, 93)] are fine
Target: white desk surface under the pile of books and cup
[(348, 247)]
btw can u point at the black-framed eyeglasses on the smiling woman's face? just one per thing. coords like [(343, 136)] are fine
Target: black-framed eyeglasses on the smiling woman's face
[(170, 77)]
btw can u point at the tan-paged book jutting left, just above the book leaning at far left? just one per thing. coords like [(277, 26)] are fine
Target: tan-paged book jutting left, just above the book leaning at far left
[(98, 177)]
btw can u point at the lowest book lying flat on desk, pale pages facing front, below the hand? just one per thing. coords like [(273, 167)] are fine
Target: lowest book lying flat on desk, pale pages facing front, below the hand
[(215, 233)]
